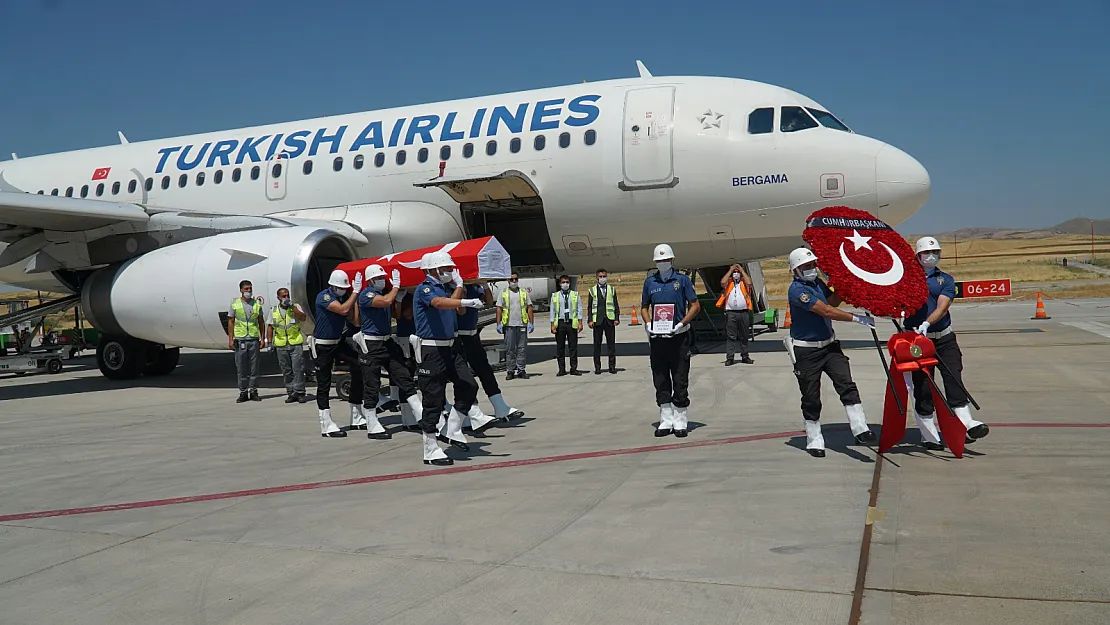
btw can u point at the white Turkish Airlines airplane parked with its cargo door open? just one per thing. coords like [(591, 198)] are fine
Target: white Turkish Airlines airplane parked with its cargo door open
[(155, 236)]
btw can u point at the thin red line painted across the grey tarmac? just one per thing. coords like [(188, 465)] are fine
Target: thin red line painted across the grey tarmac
[(446, 471)]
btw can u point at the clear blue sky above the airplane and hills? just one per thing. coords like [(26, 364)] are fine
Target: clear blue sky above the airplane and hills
[(1004, 103)]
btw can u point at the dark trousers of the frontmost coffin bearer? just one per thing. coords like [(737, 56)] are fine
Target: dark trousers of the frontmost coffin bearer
[(438, 367)]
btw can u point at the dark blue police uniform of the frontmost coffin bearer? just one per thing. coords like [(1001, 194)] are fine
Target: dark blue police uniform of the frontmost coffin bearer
[(439, 365)]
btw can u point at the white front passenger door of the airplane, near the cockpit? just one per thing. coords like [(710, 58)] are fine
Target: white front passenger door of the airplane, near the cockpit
[(648, 147)]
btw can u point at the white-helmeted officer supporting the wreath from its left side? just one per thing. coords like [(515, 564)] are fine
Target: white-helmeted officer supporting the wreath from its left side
[(814, 349)]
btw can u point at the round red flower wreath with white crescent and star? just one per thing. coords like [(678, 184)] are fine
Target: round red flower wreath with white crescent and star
[(869, 265)]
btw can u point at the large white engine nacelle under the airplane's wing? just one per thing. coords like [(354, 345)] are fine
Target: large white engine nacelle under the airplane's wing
[(180, 295)]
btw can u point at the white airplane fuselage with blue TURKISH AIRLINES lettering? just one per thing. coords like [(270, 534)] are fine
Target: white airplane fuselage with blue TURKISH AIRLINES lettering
[(672, 160)]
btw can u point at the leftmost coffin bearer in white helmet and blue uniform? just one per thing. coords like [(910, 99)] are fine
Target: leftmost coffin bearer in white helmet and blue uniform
[(329, 345)]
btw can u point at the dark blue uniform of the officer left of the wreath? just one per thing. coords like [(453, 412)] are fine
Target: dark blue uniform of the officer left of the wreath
[(812, 361)]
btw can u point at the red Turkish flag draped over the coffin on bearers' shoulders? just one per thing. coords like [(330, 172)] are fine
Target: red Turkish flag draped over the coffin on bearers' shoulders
[(478, 260)]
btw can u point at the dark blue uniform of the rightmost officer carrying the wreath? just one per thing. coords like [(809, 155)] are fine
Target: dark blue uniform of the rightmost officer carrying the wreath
[(948, 350)]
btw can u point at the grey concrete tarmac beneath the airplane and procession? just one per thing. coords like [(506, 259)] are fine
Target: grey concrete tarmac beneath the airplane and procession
[(166, 502)]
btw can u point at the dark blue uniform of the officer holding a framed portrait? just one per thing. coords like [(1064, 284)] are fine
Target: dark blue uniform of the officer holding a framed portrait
[(671, 356)]
